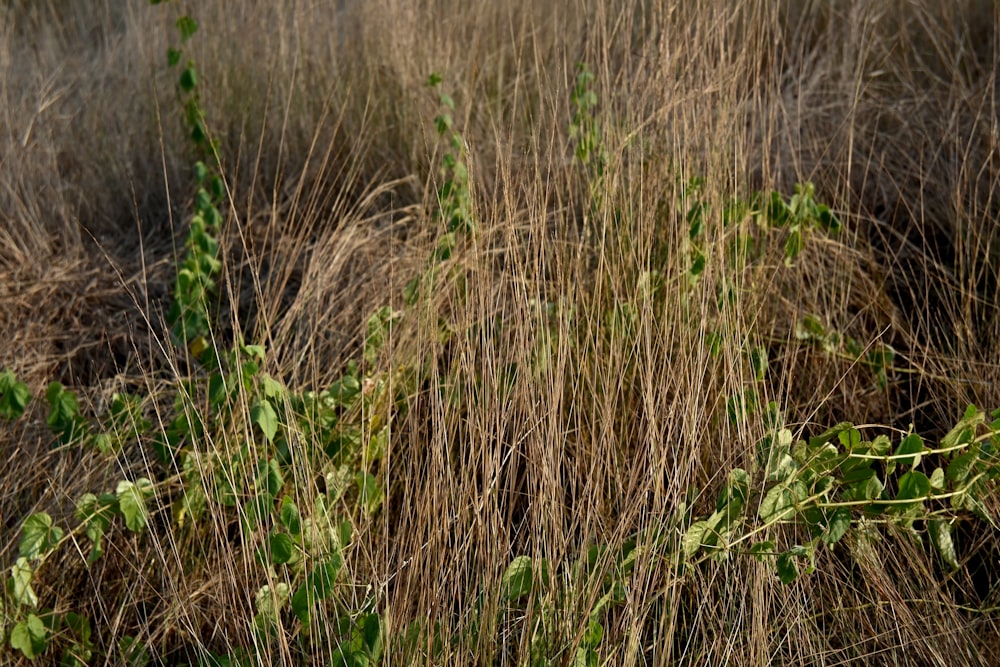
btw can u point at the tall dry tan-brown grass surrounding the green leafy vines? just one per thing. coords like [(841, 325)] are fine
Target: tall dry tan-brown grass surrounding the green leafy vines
[(326, 135)]
